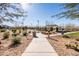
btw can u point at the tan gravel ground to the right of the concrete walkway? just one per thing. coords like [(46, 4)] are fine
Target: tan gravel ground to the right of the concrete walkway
[(59, 42)]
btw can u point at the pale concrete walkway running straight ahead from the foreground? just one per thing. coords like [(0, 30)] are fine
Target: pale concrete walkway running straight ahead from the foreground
[(39, 47)]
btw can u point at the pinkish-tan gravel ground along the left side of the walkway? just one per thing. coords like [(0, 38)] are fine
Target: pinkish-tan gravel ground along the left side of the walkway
[(14, 51)]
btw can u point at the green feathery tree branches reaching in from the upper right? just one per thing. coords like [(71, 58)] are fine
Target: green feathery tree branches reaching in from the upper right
[(72, 11)]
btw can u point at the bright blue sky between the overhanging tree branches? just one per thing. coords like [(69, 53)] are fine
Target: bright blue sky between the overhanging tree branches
[(43, 13)]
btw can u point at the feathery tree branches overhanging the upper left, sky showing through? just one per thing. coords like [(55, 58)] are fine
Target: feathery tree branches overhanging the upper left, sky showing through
[(10, 11)]
